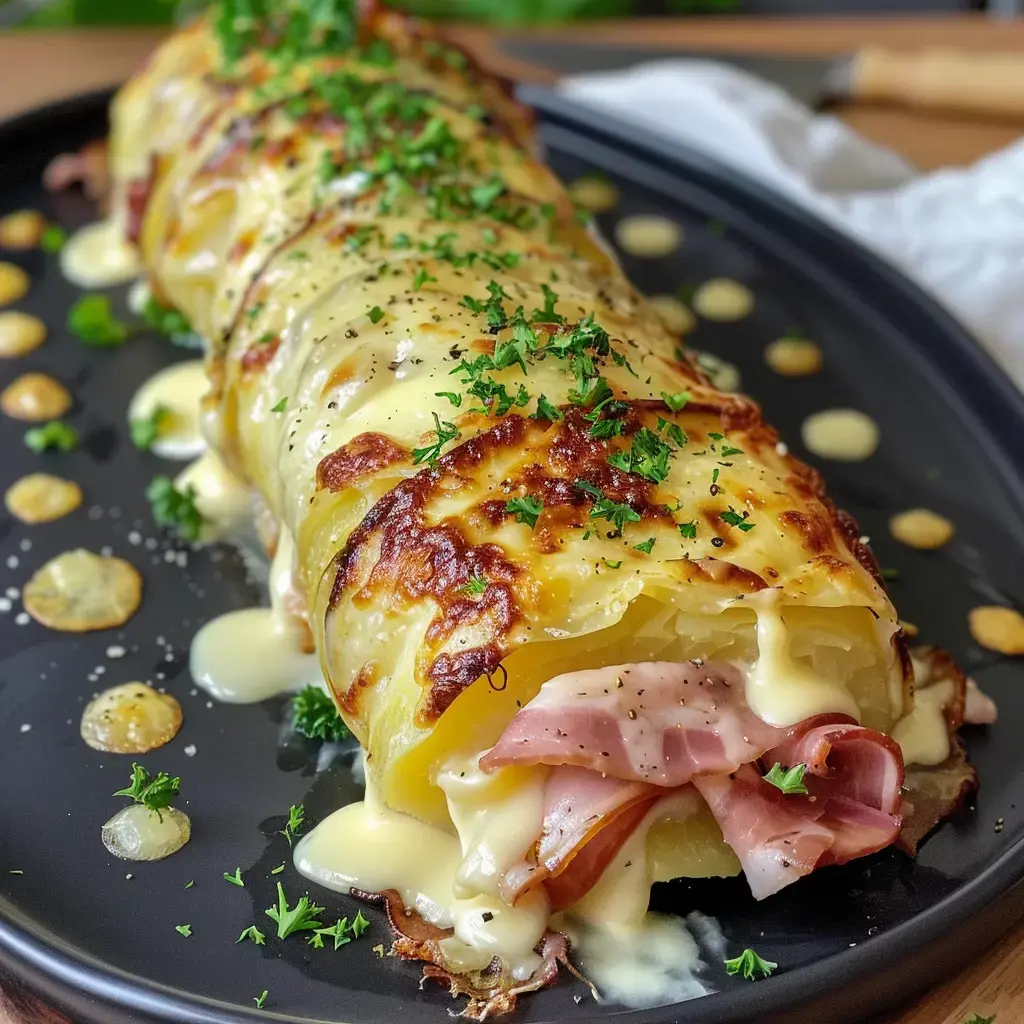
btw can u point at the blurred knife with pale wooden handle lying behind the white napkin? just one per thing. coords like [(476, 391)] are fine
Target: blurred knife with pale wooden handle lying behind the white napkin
[(989, 84)]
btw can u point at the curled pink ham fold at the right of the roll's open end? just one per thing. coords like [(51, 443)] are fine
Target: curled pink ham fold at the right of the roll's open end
[(854, 777)]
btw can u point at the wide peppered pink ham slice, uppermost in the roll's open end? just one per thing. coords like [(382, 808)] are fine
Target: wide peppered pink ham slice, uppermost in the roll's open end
[(660, 722)]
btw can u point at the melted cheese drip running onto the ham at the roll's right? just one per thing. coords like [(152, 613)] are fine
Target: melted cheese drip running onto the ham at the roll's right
[(782, 690)]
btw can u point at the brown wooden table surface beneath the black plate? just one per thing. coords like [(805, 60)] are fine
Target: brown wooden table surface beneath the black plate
[(37, 68)]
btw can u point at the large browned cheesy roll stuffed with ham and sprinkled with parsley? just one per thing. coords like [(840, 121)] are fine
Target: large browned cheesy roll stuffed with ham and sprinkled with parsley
[(528, 531)]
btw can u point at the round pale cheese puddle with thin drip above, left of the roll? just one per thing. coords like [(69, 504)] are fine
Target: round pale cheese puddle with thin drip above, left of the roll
[(249, 656)]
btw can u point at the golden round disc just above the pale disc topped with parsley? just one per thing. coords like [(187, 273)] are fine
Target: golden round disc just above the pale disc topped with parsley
[(133, 718)]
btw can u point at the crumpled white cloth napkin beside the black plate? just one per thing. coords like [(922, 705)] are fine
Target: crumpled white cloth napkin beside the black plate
[(959, 232)]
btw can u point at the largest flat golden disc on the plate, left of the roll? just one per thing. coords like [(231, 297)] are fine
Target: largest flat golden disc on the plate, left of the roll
[(78, 592)]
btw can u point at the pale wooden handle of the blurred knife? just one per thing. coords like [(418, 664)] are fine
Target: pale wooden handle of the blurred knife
[(942, 79)]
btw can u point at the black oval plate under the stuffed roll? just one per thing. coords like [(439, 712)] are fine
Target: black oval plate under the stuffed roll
[(849, 942)]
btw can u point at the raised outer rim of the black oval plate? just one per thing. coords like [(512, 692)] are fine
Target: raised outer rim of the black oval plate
[(970, 919)]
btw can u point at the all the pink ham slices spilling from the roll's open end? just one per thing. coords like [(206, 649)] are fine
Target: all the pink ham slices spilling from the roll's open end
[(620, 739)]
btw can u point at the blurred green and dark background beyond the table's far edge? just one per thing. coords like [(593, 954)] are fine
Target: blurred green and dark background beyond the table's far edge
[(65, 13)]
